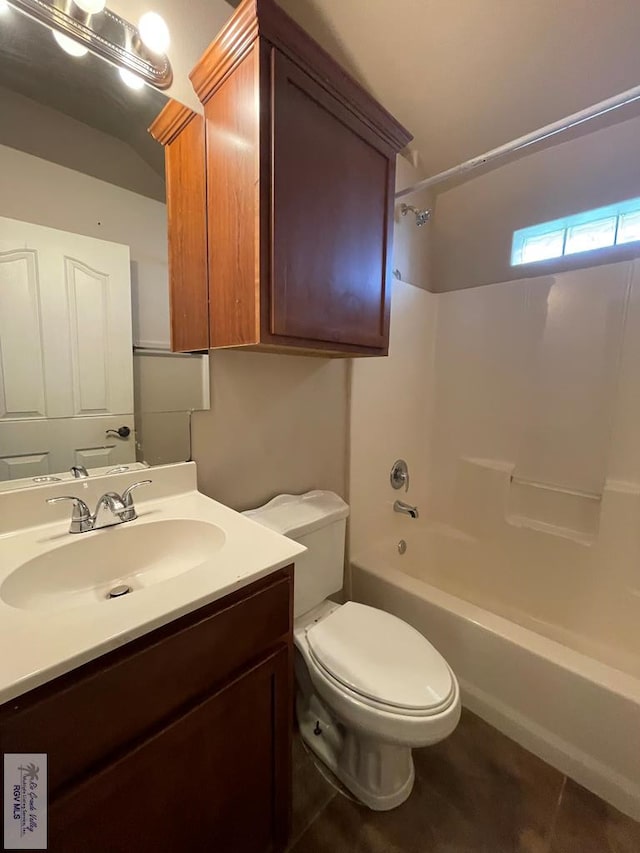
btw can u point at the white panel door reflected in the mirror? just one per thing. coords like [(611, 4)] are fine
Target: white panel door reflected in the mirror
[(65, 346)]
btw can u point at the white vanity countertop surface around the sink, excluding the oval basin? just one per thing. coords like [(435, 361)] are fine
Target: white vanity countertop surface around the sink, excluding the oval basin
[(37, 645)]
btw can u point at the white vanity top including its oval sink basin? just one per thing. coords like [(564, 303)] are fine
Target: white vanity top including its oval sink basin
[(64, 623)]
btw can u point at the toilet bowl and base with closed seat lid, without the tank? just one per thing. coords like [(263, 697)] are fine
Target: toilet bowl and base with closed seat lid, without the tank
[(370, 688)]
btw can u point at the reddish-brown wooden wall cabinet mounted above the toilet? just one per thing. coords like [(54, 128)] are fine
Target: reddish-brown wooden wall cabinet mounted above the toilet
[(300, 179)]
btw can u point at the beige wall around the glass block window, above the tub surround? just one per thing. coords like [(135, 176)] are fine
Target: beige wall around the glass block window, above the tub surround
[(473, 224)]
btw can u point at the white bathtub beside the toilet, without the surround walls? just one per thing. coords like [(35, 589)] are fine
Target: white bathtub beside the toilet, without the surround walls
[(539, 685)]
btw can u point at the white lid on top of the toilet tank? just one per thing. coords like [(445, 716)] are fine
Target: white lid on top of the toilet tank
[(295, 515)]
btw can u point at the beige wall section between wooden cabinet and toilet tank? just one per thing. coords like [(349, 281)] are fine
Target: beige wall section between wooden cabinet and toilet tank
[(278, 423)]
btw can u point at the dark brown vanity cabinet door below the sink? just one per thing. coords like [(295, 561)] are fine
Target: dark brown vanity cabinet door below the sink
[(217, 779)]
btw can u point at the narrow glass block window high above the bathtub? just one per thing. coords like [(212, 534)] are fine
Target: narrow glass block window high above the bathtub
[(602, 228)]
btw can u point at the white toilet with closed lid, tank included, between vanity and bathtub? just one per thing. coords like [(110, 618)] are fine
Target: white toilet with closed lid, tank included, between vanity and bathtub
[(369, 686)]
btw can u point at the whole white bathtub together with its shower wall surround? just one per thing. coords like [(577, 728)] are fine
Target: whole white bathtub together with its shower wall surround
[(517, 407)]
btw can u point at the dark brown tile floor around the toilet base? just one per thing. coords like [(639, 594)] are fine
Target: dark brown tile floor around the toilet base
[(477, 792)]
